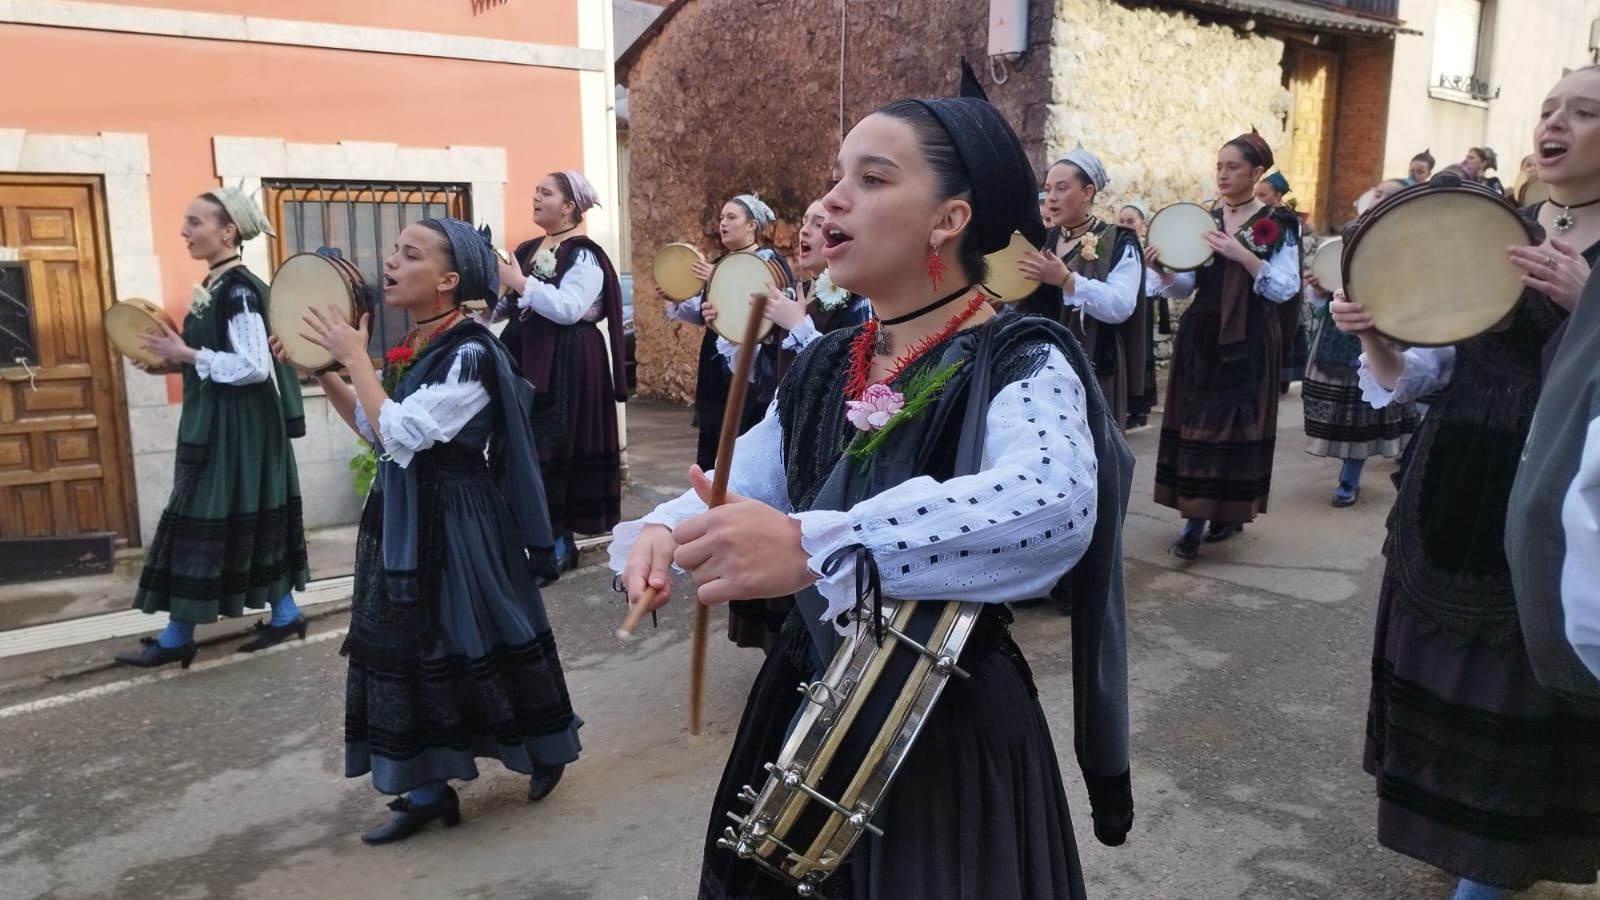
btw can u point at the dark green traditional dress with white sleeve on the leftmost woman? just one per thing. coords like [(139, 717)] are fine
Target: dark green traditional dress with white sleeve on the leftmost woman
[(231, 537)]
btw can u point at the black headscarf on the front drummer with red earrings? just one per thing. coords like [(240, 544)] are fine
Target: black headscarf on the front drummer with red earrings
[(1006, 193)]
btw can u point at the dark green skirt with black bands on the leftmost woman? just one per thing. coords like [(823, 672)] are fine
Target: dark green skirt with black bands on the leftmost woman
[(233, 534)]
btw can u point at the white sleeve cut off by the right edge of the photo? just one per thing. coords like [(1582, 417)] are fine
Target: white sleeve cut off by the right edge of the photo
[(1582, 566)]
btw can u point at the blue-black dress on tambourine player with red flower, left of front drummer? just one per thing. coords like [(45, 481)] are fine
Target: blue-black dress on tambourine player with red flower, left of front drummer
[(452, 654)]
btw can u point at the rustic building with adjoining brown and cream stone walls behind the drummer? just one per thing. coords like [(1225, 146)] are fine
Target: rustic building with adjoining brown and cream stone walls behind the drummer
[(754, 95)]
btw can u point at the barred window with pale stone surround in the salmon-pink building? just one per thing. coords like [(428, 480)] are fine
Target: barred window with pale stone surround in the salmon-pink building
[(361, 220)]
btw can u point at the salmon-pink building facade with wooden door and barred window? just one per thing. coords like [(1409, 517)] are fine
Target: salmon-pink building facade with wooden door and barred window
[(346, 119)]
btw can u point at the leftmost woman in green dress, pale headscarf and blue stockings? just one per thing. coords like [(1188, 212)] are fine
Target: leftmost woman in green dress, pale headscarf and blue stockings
[(231, 537)]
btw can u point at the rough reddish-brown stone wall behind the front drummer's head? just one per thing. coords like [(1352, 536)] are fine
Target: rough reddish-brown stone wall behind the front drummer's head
[(745, 95)]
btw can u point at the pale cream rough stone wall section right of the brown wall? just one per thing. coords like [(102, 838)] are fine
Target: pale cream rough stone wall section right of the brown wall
[(1156, 92)]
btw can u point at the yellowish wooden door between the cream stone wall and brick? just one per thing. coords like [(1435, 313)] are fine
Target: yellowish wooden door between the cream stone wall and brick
[(1313, 87)]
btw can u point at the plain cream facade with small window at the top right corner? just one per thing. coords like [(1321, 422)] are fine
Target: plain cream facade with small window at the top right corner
[(1478, 74)]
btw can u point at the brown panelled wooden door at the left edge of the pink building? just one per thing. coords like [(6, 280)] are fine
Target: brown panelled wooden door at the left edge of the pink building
[(63, 430)]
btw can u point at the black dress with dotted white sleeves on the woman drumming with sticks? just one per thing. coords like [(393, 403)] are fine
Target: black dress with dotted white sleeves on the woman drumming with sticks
[(978, 808)]
